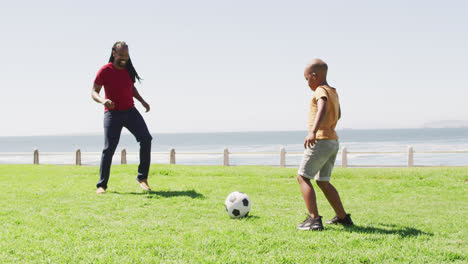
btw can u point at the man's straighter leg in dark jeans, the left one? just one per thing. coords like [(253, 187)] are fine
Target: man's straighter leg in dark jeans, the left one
[(112, 129)]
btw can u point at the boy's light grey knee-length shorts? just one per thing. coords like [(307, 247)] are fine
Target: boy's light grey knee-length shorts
[(318, 162)]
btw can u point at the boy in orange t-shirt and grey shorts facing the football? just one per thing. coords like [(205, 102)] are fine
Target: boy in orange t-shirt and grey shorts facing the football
[(321, 146)]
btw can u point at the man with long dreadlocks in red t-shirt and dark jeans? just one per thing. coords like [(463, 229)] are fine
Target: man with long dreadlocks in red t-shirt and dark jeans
[(118, 78)]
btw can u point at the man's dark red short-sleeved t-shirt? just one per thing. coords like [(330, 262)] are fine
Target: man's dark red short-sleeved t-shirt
[(118, 86)]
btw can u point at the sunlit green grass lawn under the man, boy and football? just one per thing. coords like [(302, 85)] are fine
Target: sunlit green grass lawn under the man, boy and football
[(52, 214)]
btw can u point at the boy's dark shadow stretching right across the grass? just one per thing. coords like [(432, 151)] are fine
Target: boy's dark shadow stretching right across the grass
[(392, 230)]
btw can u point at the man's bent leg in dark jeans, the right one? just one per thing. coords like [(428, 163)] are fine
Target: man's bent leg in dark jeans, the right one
[(137, 126)]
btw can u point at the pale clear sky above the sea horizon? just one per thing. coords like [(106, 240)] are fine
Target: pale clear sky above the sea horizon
[(228, 65)]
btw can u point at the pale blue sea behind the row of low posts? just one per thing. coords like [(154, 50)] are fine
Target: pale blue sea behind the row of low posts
[(251, 148)]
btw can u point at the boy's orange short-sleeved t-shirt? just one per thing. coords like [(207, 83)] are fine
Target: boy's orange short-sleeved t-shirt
[(327, 125)]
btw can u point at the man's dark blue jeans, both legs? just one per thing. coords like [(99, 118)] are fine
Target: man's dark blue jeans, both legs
[(114, 121)]
